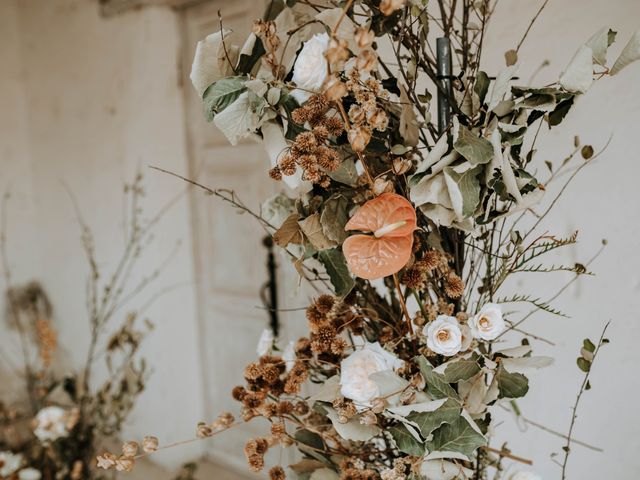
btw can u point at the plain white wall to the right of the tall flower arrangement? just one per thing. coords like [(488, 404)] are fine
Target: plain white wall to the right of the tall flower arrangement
[(603, 202)]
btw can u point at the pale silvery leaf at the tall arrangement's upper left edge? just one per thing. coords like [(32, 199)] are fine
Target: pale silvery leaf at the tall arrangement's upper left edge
[(210, 61)]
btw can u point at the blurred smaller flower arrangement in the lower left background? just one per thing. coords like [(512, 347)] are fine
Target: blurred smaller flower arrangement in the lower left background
[(52, 428)]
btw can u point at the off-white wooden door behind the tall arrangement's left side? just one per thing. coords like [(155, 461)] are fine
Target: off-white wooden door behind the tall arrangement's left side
[(230, 257)]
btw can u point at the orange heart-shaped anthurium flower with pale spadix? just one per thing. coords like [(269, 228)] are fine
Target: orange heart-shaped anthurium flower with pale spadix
[(392, 219)]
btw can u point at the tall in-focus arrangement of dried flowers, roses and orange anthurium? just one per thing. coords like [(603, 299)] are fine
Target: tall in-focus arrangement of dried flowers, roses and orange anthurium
[(407, 226)]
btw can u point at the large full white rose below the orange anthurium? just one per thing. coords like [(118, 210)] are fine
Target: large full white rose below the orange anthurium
[(357, 367)]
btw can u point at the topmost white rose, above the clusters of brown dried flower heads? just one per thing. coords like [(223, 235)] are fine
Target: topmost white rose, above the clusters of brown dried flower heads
[(310, 69)]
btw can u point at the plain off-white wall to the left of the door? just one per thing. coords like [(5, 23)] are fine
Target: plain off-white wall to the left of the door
[(87, 101)]
